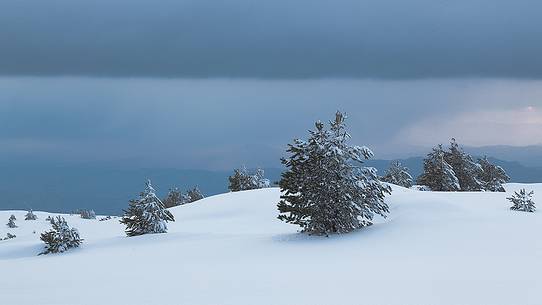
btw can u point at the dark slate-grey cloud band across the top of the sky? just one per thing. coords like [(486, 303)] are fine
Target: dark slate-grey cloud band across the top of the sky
[(277, 39)]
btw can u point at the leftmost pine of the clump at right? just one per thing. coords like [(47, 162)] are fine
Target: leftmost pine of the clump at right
[(437, 174)]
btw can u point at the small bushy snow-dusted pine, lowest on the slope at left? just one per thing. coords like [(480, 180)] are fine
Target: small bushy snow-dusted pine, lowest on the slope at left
[(61, 237)]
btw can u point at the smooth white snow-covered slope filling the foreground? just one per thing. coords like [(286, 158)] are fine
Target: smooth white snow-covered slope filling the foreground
[(435, 248)]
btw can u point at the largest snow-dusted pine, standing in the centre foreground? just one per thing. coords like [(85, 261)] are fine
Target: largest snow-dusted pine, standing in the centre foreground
[(325, 189)]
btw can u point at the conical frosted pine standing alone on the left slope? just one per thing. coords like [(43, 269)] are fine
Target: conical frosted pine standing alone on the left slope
[(146, 214)]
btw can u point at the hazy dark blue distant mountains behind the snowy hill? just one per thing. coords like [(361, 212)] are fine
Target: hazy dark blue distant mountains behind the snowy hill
[(107, 190)]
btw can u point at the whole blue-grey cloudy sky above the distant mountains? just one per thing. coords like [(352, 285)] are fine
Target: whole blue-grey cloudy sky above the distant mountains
[(213, 84)]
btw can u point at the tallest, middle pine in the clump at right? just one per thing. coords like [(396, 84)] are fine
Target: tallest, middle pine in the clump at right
[(466, 170)]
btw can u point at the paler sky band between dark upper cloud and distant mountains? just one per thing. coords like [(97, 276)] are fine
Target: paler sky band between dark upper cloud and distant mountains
[(217, 124)]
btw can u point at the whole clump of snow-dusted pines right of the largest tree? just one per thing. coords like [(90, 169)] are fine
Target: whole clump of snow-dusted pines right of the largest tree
[(455, 170)]
